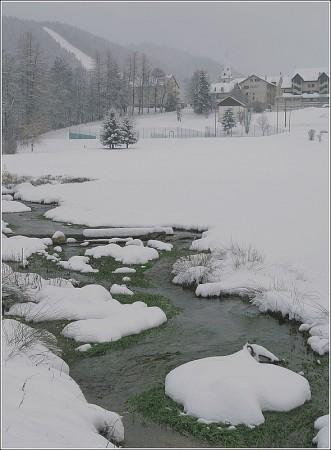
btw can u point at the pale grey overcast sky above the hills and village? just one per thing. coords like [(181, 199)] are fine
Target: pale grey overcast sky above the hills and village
[(261, 37)]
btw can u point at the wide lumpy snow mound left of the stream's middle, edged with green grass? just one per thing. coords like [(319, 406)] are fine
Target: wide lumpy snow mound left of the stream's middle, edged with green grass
[(100, 318)]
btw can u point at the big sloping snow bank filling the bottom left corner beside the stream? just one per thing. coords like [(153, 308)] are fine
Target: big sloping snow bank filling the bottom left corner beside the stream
[(44, 406)]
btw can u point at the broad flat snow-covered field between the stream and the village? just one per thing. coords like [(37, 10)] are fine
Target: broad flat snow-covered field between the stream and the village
[(271, 193)]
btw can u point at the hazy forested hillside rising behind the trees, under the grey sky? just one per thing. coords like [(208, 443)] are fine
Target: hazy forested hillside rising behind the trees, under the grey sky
[(177, 62)]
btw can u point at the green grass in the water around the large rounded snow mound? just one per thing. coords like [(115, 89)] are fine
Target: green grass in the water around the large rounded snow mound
[(293, 429)]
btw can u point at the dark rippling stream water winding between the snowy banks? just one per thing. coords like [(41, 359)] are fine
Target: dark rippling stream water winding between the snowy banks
[(205, 327)]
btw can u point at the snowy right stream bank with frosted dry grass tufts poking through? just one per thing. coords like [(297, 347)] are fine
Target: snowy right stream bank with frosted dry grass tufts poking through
[(272, 287)]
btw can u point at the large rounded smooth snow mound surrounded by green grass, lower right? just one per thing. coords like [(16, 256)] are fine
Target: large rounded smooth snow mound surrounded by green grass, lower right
[(235, 389)]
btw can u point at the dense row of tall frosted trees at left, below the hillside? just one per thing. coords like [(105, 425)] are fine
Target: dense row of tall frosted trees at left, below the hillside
[(38, 96)]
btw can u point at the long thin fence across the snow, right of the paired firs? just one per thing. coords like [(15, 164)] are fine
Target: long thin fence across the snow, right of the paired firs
[(187, 133)]
